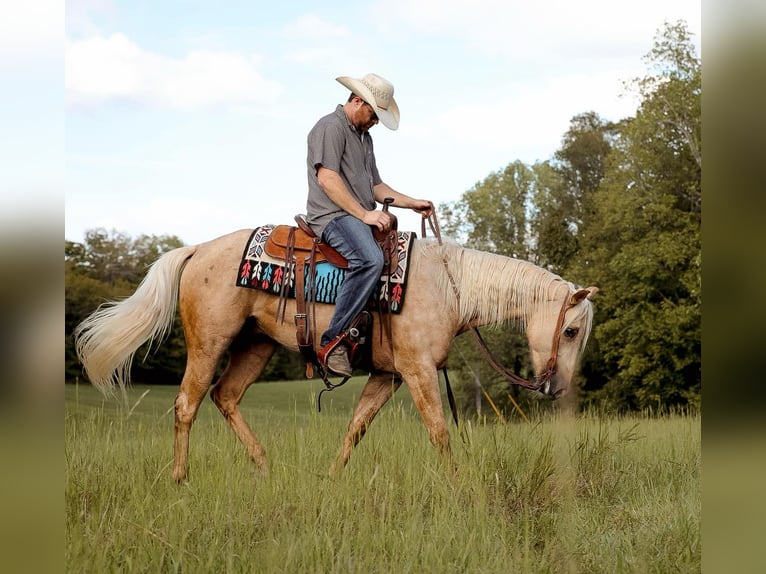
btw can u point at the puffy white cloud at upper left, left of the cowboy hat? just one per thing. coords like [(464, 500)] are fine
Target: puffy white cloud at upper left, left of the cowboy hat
[(115, 68)]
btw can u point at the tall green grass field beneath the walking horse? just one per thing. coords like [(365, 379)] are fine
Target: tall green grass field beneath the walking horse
[(561, 494)]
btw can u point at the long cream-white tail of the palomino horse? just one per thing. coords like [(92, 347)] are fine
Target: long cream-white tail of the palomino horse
[(107, 340)]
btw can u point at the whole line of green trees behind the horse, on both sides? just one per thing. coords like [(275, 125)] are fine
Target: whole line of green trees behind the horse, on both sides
[(618, 206)]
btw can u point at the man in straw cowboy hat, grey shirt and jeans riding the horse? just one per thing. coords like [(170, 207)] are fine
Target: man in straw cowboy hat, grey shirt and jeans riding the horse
[(344, 189)]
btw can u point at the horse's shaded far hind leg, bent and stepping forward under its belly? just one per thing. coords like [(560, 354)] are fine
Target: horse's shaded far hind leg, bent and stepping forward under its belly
[(248, 359)]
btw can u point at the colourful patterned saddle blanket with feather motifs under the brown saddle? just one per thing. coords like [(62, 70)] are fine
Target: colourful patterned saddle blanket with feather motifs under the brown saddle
[(260, 271)]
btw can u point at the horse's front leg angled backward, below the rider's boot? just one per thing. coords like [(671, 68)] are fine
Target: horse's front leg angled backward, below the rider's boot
[(379, 388)]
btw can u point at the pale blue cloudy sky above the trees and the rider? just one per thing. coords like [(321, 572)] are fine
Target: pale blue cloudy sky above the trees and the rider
[(190, 118)]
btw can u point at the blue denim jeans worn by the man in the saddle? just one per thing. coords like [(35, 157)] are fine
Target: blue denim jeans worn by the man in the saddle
[(353, 239)]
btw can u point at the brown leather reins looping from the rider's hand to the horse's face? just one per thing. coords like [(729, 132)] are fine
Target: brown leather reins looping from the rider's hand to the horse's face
[(550, 367)]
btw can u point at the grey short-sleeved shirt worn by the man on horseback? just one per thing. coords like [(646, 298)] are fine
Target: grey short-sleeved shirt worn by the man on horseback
[(336, 144)]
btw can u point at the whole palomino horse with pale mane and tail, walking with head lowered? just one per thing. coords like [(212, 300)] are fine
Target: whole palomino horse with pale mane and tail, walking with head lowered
[(450, 289)]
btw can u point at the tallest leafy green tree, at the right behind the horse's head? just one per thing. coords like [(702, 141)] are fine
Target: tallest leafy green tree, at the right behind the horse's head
[(642, 245)]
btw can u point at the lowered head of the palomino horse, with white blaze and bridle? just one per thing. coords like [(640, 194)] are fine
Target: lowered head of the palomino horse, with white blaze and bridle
[(557, 334)]
